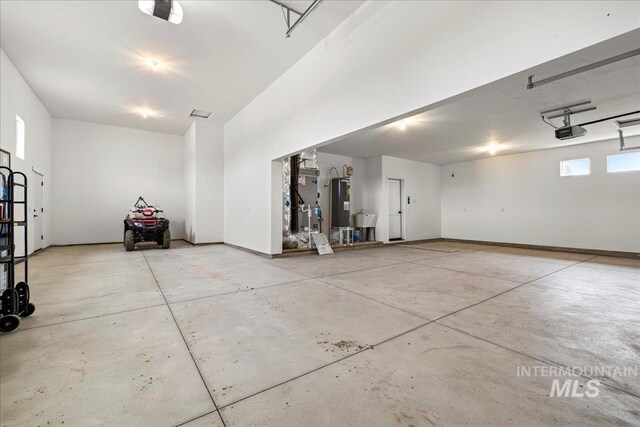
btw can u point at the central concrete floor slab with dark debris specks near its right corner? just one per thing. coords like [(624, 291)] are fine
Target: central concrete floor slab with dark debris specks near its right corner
[(268, 336)]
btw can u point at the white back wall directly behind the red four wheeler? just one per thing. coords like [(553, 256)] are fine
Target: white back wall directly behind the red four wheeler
[(98, 173)]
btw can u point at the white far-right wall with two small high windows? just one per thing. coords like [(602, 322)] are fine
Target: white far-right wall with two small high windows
[(521, 198)]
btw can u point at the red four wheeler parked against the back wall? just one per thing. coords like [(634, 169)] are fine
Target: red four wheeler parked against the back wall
[(145, 223)]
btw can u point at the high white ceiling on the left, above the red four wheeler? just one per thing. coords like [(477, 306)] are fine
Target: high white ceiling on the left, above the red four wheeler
[(86, 60)]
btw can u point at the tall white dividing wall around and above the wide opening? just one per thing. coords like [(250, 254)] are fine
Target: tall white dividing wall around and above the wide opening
[(379, 64)]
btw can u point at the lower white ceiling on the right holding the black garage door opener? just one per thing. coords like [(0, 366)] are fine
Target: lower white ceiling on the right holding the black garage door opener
[(505, 113)]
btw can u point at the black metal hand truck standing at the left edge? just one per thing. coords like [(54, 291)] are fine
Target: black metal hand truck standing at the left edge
[(14, 299)]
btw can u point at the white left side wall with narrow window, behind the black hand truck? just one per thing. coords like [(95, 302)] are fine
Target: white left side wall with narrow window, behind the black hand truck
[(17, 98)]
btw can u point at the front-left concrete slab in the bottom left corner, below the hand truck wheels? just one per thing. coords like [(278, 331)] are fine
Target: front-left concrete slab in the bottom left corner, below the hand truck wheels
[(121, 369)]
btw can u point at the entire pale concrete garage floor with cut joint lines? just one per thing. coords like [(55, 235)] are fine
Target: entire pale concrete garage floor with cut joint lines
[(422, 334)]
